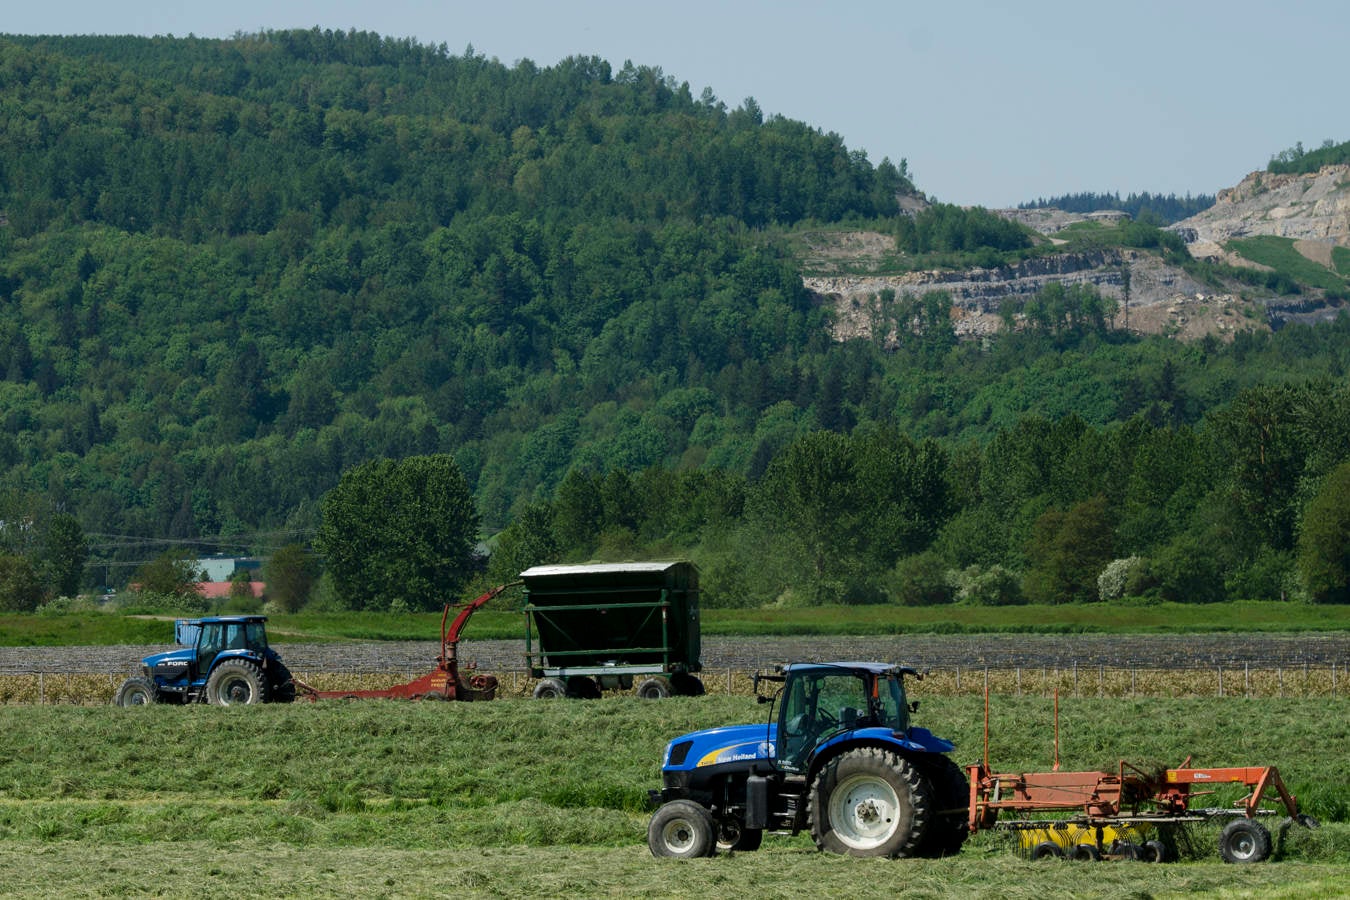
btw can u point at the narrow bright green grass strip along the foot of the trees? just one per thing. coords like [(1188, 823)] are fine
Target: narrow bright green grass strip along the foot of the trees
[(94, 629)]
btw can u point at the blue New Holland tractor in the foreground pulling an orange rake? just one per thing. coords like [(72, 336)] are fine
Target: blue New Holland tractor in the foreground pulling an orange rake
[(840, 760)]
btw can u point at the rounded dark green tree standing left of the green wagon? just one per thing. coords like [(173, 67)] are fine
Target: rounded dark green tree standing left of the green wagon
[(399, 534)]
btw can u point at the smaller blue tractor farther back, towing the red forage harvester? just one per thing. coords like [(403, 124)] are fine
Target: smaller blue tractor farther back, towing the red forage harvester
[(225, 660)]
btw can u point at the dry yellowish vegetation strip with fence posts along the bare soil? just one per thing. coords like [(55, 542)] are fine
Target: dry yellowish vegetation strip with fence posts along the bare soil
[(1220, 681)]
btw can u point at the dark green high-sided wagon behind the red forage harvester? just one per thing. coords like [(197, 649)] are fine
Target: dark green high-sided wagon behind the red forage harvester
[(607, 625)]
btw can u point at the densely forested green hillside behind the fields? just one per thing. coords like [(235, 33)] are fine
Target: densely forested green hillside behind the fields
[(232, 271)]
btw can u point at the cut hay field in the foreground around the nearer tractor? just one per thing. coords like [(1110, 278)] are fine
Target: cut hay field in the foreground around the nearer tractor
[(520, 798)]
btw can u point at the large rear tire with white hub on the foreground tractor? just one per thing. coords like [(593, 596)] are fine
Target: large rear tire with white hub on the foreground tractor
[(870, 804)]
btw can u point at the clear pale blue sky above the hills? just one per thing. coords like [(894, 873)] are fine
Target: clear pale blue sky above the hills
[(992, 103)]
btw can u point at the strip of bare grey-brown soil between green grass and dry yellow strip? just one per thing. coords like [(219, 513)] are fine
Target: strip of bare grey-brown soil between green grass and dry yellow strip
[(925, 652)]
